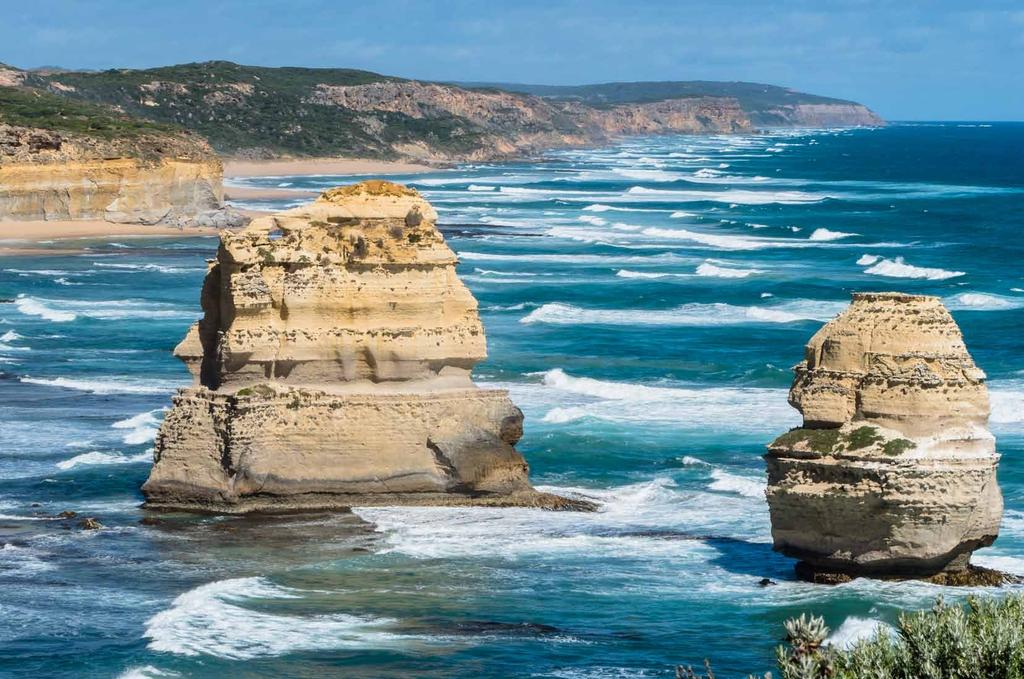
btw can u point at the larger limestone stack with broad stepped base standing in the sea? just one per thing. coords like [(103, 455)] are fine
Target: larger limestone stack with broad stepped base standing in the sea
[(332, 369)]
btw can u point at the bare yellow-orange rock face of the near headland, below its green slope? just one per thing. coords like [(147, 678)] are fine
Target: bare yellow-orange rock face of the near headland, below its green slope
[(47, 176)]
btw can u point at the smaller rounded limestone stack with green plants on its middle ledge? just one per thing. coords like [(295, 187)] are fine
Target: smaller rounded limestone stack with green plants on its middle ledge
[(893, 472)]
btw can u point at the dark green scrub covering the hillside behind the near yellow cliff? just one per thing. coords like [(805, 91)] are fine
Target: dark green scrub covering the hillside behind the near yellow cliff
[(259, 111)]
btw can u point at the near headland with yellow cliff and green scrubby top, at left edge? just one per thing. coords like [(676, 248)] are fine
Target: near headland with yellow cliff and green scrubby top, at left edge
[(60, 161)]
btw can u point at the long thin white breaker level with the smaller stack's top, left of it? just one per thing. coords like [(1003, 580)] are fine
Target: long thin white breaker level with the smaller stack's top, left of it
[(687, 315)]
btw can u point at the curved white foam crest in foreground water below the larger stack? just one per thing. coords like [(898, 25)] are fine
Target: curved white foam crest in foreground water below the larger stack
[(212, 620)]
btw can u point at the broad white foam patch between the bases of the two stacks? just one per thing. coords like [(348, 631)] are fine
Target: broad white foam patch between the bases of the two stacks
[(615, 532)]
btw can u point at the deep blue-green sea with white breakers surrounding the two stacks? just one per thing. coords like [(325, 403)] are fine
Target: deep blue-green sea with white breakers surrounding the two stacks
[(644, 304)]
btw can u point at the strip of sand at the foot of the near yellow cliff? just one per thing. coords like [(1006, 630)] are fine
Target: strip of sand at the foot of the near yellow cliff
[(26, 238)]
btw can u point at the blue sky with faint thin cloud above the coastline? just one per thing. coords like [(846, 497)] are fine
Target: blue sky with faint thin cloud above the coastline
[(908, 60)]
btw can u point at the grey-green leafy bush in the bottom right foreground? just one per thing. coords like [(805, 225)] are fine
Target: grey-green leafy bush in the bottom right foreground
[(984, 640)]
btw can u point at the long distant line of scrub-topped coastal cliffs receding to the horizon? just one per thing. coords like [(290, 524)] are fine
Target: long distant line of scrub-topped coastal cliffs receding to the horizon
[(257, 112)]
